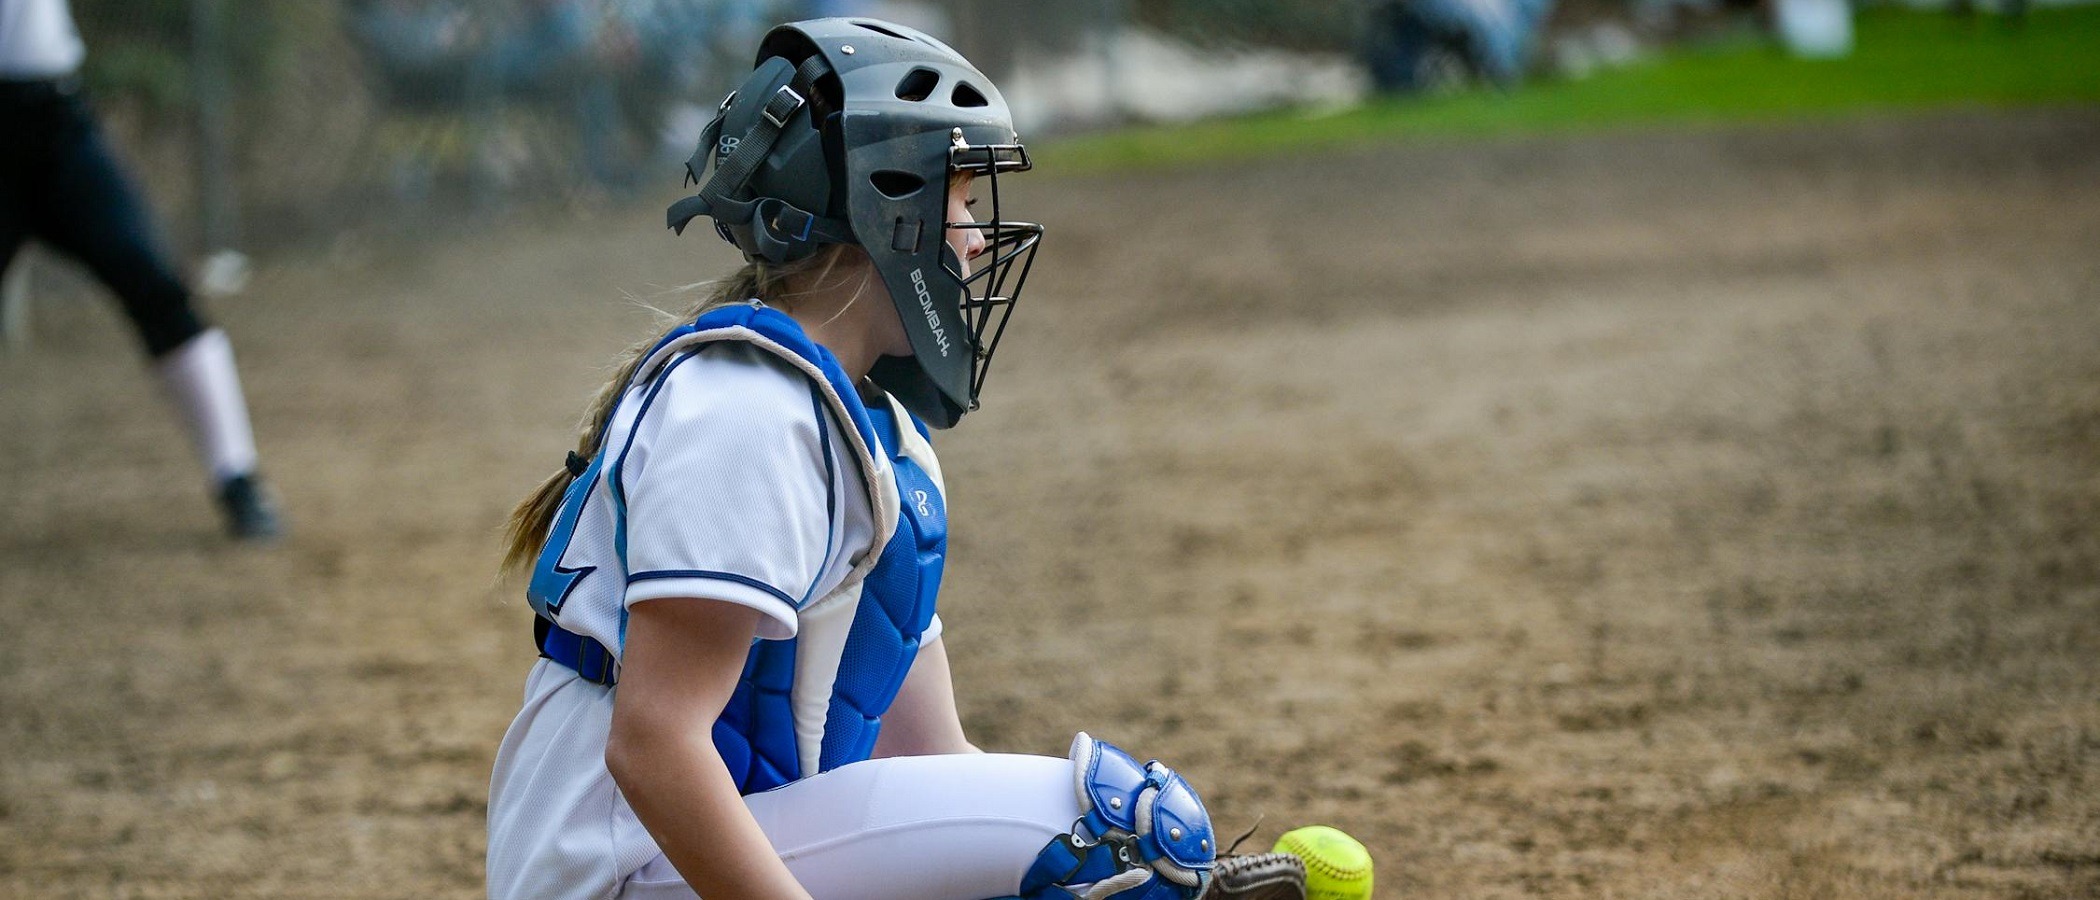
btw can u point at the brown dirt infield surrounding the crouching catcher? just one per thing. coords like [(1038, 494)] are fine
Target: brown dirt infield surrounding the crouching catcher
[(1673, 515)]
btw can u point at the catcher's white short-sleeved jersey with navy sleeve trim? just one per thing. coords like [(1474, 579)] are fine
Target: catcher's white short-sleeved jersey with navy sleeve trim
[(734, 486)]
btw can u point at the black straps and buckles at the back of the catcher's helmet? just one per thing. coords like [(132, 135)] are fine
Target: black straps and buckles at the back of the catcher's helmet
[(774, 230)]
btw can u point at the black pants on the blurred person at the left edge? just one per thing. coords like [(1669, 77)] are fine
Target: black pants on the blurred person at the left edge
[(62, 186)]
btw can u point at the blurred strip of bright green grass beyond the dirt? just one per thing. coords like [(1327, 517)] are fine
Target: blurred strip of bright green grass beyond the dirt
[(1904, 62)]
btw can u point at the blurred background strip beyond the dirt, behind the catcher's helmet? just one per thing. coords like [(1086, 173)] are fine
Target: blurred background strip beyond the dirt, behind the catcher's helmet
[(402, 110)]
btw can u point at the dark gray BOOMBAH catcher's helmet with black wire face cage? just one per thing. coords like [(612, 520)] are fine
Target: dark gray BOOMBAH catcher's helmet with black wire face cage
[(849, 133)]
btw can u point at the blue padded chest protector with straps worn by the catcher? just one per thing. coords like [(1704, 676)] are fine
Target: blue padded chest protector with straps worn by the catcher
[(759, 733)]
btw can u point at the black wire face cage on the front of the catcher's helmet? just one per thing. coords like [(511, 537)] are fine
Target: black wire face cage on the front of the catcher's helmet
[(1003, 267)]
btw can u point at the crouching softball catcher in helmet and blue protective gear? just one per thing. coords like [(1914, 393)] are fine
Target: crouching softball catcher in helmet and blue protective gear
[(744, 689)]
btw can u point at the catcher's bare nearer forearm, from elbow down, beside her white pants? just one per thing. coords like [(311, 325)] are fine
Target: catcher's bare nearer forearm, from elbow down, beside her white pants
[(684, 794)]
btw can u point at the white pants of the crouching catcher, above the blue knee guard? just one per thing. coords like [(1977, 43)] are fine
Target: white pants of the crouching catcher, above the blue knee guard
[(942, 828)]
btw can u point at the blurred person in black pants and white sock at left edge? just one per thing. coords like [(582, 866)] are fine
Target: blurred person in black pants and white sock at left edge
[(62, 186)]
